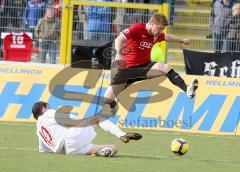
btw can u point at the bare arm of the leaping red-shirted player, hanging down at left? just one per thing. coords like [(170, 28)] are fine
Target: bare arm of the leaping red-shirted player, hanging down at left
[(119, 45)]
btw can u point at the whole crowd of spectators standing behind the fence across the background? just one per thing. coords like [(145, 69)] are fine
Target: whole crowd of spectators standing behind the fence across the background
[(43, 18)]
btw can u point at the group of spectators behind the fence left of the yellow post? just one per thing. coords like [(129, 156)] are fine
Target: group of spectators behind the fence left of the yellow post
[(40, 17)]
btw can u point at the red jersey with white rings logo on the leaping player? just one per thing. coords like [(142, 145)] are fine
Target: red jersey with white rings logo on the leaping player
[(139, 43)]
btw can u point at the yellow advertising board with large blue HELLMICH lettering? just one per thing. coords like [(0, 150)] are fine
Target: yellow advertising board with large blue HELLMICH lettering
[(153, 104)]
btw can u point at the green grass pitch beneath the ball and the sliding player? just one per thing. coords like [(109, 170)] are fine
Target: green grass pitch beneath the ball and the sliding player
[(18, 152)]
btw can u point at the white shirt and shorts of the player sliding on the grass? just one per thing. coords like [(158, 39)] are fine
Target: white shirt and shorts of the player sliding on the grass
[(57, 138)]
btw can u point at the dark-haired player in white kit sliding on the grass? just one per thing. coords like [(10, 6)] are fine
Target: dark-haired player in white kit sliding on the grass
[(57, 138)]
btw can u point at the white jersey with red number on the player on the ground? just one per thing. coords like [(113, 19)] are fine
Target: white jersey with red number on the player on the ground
[(50, 133)]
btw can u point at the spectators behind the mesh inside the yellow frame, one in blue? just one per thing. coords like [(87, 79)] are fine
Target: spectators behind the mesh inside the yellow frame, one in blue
[(98, 22)]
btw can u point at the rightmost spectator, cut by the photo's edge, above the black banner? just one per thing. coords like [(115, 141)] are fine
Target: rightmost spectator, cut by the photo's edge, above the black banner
[(233, 36)]
